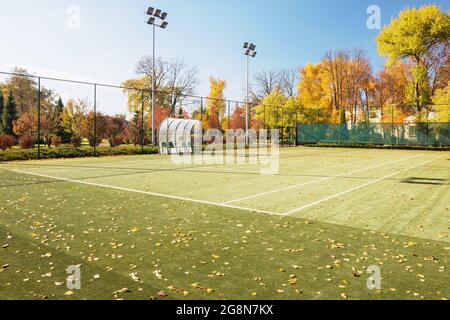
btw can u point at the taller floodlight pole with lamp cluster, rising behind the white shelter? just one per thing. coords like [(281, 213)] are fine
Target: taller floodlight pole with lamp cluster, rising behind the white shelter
[(156, 19)]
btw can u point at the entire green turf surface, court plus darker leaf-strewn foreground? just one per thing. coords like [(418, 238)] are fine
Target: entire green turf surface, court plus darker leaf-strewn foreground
[(225, 231)]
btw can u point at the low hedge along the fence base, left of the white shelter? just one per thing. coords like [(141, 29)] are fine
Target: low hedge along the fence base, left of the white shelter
[(67, 152)]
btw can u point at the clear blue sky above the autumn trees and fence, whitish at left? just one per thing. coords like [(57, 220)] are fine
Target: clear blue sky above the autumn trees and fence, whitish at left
[(205, 33)]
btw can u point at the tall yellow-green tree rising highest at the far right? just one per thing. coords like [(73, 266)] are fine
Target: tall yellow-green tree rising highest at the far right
[(419, 35)]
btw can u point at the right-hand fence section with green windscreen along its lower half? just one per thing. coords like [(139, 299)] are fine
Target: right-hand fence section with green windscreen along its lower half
[(395, 125)]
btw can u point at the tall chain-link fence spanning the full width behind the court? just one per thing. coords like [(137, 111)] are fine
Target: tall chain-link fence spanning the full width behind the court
[(47, 114)]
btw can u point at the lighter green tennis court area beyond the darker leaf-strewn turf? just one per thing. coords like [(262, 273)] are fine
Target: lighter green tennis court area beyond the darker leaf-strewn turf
[(401, 192)]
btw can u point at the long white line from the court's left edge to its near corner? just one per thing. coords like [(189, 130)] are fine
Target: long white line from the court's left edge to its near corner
[(147, 193)]
